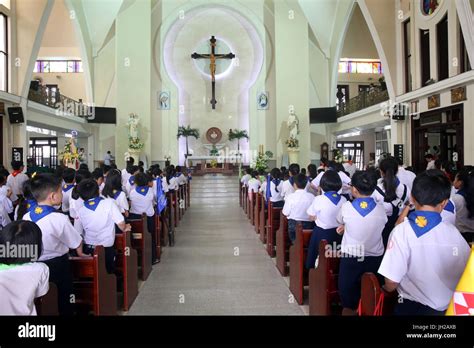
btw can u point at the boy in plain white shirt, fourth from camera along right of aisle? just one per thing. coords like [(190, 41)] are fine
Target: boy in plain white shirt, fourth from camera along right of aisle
[(296, 206)]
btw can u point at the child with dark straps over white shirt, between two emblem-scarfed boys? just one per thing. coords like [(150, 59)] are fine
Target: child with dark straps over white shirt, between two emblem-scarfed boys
[(391, 193)]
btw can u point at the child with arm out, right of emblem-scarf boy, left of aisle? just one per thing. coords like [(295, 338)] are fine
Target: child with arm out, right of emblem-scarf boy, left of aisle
[(97, 220)]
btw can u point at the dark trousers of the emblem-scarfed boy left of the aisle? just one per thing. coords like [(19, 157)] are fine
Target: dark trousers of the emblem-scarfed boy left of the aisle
[(60, 274)]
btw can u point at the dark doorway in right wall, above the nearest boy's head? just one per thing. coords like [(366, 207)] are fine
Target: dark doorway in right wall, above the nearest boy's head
[(439, 133)]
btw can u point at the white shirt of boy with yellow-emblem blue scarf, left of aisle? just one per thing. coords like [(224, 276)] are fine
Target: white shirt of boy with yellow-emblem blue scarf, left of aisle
[(59, 235)]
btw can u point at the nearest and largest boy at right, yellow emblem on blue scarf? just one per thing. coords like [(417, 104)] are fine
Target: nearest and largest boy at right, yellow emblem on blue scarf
[(419, 262)]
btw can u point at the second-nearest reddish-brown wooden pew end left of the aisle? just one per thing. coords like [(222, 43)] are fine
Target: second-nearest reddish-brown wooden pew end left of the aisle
[(126, 268)]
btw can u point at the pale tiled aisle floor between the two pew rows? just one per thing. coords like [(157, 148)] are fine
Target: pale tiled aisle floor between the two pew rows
[(218, 265)]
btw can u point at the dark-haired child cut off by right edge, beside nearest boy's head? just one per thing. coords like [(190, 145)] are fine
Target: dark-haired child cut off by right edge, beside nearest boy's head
[(464, 202)]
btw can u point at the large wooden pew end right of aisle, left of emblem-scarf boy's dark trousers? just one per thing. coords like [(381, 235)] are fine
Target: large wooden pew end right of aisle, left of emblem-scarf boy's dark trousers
[(323, 289)]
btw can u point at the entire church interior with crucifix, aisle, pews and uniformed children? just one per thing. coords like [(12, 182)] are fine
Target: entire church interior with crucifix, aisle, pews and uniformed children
[(213, 108)]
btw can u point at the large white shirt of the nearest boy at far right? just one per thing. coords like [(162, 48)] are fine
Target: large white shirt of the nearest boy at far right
[(427, 268)]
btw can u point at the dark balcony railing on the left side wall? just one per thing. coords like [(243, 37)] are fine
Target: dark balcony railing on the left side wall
[(54, 99)]
